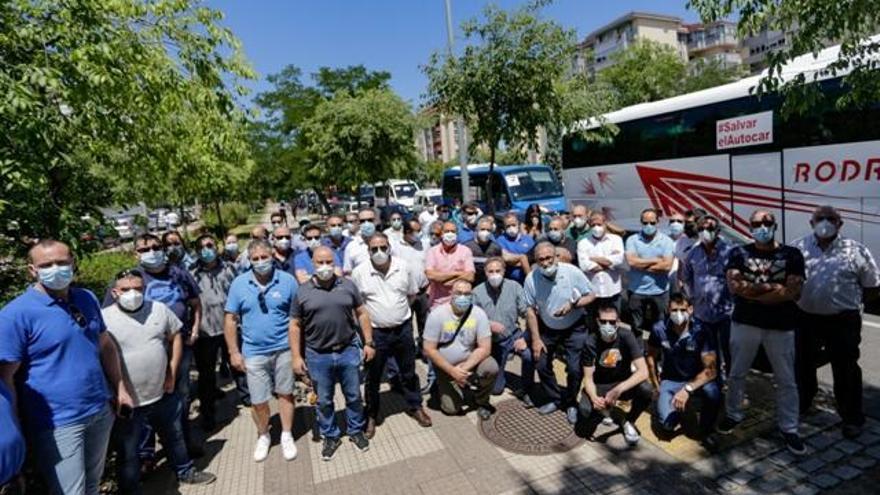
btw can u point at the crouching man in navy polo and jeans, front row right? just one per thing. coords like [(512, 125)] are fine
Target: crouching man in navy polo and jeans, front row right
[(688, 355)]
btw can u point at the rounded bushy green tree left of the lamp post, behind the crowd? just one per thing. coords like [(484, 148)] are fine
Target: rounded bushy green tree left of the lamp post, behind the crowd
[(365, 137)]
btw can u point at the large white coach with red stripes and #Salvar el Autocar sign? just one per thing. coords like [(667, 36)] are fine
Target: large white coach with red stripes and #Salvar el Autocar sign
[(728, 152)]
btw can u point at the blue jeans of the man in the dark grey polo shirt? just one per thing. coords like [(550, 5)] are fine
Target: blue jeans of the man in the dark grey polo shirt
[(328, 369)]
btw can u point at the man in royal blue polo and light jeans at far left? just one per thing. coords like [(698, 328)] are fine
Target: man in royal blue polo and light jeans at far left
[(55, 335)]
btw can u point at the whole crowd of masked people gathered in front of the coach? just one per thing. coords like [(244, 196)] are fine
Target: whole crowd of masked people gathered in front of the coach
[(675, 312)]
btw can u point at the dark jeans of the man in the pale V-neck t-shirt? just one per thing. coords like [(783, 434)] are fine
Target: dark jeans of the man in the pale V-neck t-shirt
[(164, 418)]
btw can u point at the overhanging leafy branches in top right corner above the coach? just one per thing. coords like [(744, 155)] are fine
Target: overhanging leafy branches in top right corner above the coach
[(809, 25)]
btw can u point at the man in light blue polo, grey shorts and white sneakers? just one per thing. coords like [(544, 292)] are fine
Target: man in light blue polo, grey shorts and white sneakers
[(261, 300)]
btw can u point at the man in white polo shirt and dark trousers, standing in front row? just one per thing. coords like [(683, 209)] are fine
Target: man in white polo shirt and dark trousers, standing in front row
[(387, 285)]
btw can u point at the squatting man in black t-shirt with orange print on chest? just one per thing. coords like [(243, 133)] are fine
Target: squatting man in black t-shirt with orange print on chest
[(608, 359)]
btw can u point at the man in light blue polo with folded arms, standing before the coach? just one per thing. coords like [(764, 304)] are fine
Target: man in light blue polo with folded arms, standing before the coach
[(649, 255)]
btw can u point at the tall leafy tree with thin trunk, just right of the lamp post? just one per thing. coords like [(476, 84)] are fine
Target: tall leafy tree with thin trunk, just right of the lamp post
[(505, 83)]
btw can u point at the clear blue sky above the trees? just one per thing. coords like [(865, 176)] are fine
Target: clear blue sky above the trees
[(393, 35)]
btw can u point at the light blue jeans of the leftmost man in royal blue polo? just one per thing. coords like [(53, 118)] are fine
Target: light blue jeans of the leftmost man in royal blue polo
[(72, 456)]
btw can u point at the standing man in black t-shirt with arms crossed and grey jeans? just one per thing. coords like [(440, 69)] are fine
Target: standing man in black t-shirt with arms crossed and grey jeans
[(765, 278)]
